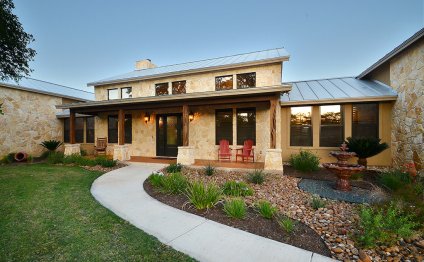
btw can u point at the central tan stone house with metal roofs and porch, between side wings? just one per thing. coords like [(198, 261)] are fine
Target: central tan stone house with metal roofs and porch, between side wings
[(184, 110)]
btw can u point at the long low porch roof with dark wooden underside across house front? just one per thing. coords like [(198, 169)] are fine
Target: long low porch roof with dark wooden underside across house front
[(256, 94)]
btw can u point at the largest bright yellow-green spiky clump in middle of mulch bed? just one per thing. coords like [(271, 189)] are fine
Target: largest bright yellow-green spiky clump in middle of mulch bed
[(203, 196)]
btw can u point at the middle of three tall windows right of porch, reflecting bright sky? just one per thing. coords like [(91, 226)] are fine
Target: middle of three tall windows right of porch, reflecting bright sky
[(332, 126)]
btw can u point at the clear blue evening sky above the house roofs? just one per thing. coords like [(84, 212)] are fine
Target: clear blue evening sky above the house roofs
[(81, 41)]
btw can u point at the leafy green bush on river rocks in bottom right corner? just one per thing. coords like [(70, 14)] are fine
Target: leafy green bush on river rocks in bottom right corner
[(383, 226)]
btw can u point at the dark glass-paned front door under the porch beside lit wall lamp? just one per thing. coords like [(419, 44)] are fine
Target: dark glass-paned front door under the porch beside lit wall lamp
[(168, 134)]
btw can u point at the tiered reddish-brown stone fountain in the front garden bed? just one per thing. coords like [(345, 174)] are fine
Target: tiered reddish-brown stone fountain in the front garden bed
[(342, 169)]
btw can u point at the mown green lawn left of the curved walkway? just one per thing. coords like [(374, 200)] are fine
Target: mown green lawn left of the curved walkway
[(47, 213)]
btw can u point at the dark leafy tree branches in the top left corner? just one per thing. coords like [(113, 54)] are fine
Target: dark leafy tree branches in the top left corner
[(14, 51)]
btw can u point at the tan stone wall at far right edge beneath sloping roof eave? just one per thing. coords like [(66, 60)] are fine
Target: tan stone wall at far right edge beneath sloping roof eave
[(407, 78)]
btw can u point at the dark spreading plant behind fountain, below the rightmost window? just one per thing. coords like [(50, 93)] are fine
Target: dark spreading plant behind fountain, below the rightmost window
[(365, 147)]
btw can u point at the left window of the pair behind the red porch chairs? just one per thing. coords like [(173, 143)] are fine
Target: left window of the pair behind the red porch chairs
[(224, 125)]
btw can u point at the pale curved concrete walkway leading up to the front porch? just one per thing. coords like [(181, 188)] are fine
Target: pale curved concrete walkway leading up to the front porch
[(122, 192)]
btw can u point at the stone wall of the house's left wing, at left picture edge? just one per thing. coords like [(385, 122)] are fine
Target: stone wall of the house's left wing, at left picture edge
[(29, 118)]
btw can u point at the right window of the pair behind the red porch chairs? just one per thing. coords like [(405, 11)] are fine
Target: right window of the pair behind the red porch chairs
[(246, 125)]
